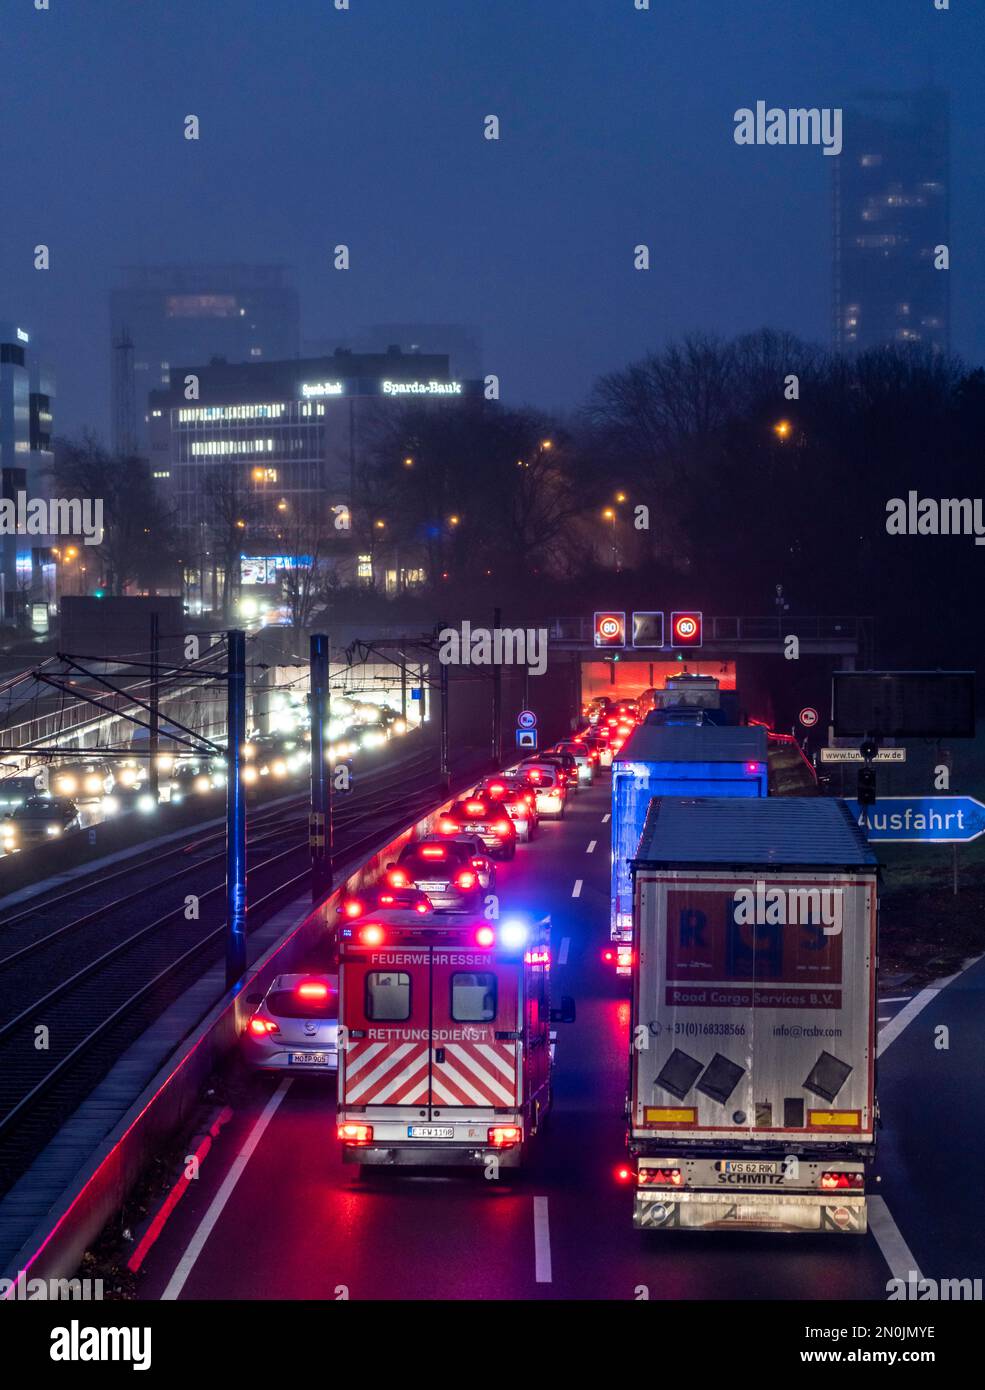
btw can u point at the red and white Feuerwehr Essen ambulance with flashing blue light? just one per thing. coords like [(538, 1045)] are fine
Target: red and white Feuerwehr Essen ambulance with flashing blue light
[(445, 1039)]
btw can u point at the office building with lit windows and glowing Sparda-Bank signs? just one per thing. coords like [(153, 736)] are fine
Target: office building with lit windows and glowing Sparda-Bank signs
[(277, 450)]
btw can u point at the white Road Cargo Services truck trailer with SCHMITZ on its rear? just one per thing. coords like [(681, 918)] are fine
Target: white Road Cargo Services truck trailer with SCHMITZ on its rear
[(752, 1084)]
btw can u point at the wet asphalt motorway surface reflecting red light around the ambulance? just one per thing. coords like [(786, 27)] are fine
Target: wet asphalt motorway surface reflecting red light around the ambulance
[(276, 1214)]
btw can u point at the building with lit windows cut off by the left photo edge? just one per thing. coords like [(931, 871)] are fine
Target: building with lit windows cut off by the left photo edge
[(27, 468)]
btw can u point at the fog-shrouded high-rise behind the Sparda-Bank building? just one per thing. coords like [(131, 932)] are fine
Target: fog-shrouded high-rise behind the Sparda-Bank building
[(167, 315)]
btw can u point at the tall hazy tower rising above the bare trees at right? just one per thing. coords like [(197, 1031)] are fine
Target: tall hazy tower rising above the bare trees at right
[(891, 212)]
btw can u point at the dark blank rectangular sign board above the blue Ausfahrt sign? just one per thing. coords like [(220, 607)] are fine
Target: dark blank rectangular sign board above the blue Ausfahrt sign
[(904, 704)]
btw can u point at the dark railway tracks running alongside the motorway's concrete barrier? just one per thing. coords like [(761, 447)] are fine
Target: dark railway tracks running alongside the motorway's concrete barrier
[(78, 992)]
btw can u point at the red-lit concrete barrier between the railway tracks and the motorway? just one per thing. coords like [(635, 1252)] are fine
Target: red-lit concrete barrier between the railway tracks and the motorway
[(167, 1104)]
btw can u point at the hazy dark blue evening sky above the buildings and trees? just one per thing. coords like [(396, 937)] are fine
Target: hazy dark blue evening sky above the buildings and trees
[(366, 127)]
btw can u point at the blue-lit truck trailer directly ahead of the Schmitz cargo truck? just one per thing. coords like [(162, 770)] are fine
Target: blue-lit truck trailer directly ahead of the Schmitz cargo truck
[(676, 761)]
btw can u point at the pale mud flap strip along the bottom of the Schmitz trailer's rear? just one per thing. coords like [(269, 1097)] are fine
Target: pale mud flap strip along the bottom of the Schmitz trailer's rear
[(755, 1213)]
